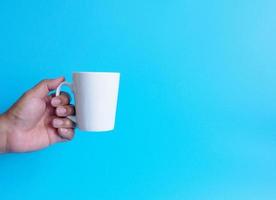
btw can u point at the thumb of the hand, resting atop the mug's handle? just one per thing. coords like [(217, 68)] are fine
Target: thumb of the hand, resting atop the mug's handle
[(45, 86)]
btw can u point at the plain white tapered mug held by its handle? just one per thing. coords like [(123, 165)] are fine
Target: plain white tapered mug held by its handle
[(95, 96)]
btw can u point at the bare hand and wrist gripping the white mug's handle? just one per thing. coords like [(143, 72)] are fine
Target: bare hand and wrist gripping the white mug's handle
[(37, 120)]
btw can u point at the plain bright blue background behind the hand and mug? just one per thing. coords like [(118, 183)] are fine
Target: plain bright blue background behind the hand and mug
[(197, 104)]
